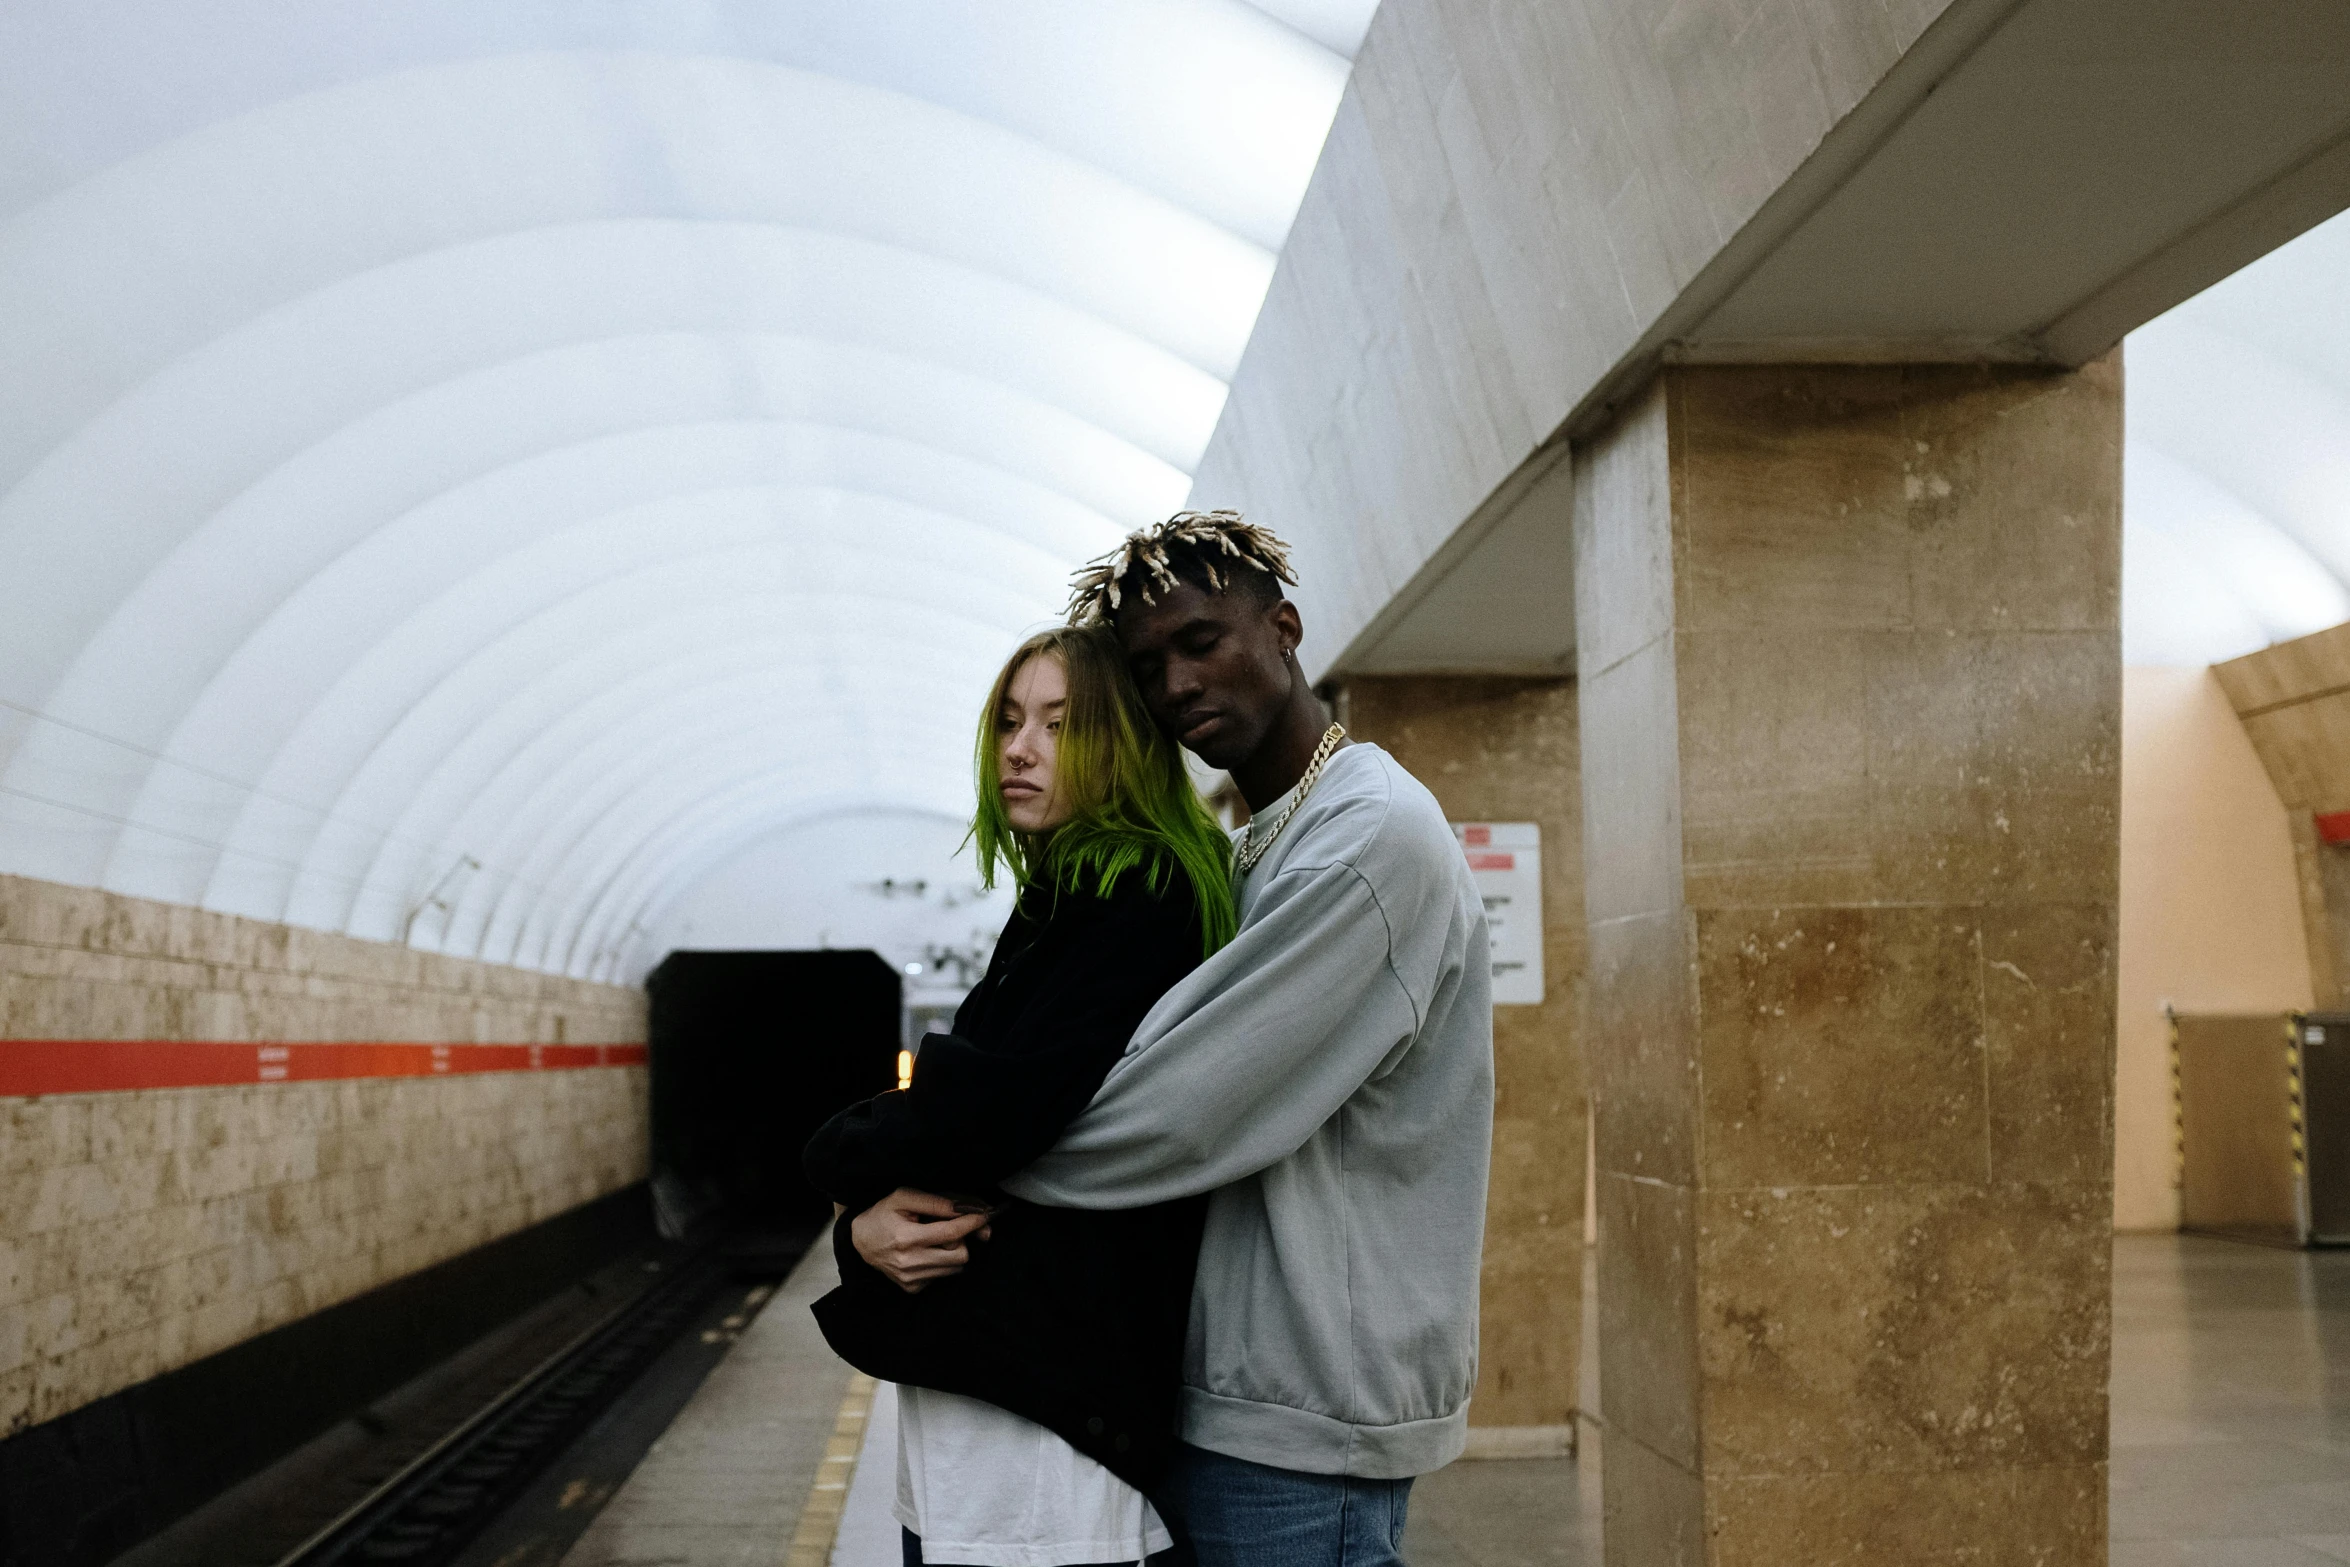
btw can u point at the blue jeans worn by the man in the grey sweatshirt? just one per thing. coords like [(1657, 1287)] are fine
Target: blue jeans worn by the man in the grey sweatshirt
[(1242, 1514)]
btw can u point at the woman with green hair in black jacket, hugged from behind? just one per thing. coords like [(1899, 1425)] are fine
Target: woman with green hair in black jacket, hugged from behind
[(1040, 1359)]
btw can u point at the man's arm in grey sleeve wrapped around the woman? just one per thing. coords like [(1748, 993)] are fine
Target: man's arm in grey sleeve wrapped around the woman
[(1242, 1063)]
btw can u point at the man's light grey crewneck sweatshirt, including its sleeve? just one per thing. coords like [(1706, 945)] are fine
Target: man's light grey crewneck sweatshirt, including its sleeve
[(1329, 1077)]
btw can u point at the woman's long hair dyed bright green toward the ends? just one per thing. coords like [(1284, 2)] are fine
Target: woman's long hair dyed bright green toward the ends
[(1136, 807)]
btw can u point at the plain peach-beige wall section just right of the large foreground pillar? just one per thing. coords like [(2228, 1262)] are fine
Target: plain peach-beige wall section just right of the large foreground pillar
[(2210, 910)]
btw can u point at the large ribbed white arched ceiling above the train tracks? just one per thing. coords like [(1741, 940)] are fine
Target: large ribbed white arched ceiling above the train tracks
[(464, 471)]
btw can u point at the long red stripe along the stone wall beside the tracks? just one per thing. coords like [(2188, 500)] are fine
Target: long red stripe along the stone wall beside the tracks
[(107, 1065)]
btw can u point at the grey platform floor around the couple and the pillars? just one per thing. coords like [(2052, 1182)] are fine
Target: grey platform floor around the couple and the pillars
[(2231, 1439)]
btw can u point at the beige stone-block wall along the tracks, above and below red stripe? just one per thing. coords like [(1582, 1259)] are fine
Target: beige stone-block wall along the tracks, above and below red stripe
[(154, 1228)]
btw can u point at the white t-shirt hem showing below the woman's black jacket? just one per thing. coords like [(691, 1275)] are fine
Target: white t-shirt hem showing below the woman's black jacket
[(986, 1488)]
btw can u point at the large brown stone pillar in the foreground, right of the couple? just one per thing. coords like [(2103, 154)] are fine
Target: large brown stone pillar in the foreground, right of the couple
[(1851, 699)]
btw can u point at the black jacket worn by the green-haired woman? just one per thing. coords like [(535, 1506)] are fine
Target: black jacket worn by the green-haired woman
[(1073, 1319)]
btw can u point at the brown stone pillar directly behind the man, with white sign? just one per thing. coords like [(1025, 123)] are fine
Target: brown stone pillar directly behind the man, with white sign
[(1505, 751)]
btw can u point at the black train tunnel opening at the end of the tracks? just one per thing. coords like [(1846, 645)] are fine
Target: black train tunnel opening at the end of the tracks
[(751, 1054)]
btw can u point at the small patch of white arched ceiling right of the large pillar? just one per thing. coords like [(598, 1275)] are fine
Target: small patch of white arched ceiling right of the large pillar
[(2238, 462)]
